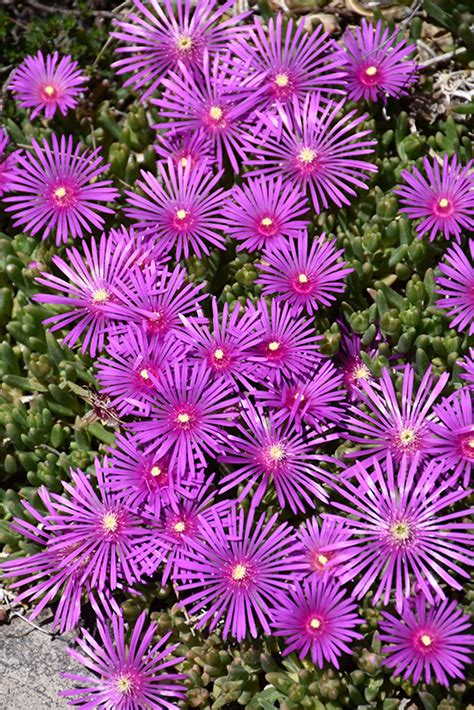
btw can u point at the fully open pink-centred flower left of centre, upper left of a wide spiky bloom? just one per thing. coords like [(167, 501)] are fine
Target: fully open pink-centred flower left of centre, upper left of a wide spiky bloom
[(189, 416)]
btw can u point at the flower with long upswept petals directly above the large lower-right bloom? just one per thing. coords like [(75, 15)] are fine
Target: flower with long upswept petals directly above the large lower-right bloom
[(396, 424)]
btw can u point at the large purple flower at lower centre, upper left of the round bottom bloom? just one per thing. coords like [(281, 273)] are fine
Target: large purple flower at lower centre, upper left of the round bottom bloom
[(236, 571)]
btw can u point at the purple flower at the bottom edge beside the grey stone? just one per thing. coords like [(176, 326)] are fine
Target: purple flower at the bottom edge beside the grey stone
[(126, 676)]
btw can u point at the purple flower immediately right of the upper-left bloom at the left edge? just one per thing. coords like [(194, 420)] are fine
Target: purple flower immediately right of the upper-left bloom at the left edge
[(182, 208)]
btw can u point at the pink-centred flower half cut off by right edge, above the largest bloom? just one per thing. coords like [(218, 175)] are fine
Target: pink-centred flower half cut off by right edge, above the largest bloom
[(453, 430)]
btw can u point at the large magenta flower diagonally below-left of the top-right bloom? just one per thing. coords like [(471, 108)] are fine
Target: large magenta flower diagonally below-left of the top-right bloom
[(314, 149)]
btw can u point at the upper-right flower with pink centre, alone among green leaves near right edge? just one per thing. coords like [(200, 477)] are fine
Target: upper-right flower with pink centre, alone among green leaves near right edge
[(443, 200)]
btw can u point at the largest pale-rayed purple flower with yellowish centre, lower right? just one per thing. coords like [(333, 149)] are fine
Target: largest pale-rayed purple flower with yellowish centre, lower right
[(403, 526)]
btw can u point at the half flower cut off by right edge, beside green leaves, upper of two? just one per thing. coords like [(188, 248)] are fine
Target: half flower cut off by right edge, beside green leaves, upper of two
[(456, 287)]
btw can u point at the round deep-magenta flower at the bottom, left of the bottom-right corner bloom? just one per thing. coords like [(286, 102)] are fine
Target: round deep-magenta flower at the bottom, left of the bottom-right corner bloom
[(316, 619)]
